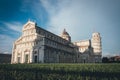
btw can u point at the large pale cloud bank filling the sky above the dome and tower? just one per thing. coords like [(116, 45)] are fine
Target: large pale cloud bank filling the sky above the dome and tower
[(81, 18)]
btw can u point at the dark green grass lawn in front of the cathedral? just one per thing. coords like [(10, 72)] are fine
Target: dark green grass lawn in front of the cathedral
[(59, 71)]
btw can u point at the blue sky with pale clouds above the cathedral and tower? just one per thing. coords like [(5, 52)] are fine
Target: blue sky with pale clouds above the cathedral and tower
[(80, 18)]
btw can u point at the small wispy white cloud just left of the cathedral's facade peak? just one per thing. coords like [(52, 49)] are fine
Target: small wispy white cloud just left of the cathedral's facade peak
[(16, 26)]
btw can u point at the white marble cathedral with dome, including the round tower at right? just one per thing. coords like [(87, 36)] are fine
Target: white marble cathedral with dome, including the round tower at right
[(37, 45)]
